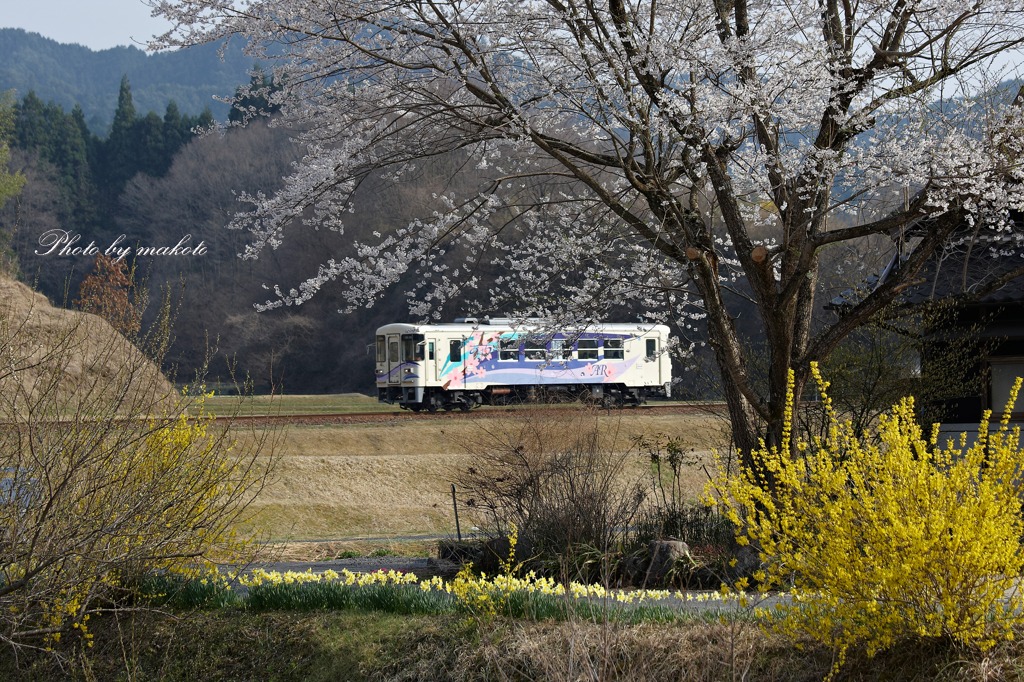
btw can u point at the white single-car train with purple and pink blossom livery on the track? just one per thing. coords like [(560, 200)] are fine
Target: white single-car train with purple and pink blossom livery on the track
[(474, 362)]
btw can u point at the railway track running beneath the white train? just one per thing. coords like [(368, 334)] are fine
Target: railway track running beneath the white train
[(483, 413)]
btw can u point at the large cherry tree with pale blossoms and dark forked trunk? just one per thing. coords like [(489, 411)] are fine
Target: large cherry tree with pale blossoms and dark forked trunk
[(667, 151)]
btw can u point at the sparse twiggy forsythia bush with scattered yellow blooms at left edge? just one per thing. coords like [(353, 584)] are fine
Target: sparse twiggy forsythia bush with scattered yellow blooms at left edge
[(104, 503)]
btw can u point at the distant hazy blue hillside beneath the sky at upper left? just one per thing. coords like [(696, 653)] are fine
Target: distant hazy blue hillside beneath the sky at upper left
[(74, 74)]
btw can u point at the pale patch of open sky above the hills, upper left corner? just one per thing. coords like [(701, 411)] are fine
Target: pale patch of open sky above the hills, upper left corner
[(96, 24)]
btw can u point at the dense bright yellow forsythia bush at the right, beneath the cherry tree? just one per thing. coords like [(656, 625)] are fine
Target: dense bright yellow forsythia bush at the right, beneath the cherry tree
[(888, 535)]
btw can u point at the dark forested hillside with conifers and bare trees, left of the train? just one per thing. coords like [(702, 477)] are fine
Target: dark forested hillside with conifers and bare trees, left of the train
[(153, 183)]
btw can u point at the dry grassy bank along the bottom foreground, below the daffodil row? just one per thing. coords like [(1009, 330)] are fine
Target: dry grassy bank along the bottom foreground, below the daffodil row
[(229, 645)]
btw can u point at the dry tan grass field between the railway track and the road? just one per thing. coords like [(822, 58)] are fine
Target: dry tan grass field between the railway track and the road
[(391, 480)]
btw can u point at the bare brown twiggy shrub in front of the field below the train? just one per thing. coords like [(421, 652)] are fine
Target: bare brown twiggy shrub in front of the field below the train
[(562, 483)]
